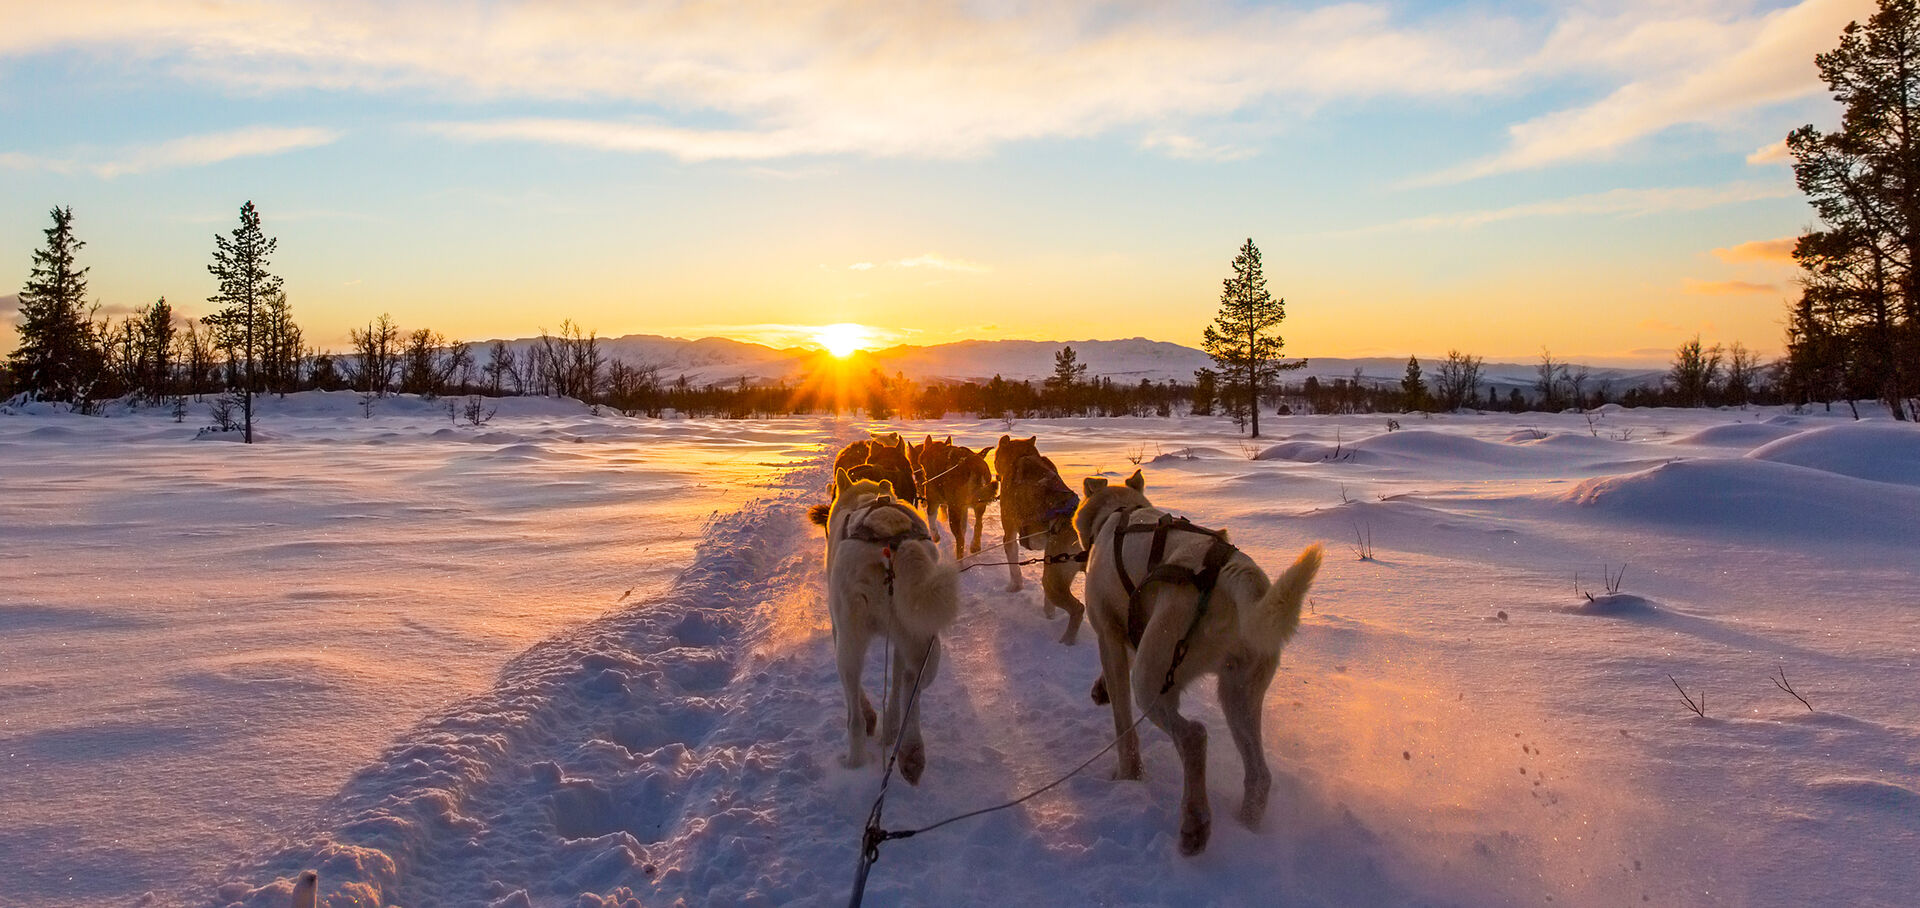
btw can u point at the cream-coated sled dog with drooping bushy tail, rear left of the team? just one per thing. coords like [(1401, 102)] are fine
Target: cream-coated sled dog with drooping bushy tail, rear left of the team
[(886, 579)]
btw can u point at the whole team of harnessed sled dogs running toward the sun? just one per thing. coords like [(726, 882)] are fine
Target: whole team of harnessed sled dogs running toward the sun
[(1168, 600)]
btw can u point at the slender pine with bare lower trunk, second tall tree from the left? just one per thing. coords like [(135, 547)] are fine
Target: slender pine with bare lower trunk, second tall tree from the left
[(247, 293)]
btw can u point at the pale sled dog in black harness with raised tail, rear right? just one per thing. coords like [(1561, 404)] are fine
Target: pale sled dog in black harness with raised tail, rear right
[(1170, 604)]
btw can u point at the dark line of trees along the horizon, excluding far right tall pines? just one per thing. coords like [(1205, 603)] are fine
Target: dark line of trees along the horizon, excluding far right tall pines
[(252, 346)]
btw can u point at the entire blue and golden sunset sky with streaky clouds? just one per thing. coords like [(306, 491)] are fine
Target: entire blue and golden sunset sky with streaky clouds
[(1600, 179)]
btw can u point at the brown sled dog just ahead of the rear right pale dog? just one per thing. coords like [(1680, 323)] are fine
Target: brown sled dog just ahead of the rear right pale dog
[(1038, 514)]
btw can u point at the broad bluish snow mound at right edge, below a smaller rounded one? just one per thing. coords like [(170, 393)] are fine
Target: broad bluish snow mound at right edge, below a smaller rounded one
[(1756, 498)]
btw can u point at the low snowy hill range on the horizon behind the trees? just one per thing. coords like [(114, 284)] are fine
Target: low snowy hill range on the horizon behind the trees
[(727, 362)]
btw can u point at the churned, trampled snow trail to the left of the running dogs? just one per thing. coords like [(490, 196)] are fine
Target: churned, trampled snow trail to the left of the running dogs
[(585, 771)]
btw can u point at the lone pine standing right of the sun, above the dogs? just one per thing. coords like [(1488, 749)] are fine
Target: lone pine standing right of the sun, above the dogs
[(1241, 339)]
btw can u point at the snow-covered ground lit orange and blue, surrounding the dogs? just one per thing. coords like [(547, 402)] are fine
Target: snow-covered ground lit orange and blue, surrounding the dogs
[(396, 652)]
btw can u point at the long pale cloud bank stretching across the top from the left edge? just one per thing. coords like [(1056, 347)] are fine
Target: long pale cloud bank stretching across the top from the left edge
[(756, 82)]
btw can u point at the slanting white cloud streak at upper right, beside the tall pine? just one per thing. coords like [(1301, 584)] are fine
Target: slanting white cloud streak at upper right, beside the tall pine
[(1740, 66)]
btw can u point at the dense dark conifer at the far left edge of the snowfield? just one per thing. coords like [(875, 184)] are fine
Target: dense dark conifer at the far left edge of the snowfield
[(57, 358)]
